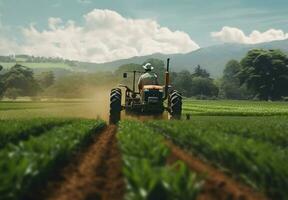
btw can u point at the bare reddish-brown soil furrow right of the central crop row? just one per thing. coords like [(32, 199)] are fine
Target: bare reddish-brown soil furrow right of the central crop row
[(217, 185)]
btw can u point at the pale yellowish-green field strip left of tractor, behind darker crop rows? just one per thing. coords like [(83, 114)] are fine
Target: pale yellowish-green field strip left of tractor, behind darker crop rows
[(79, 109)]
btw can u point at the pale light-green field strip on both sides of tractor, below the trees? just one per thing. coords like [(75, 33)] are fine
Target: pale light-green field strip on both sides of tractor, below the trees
[(90, 108)]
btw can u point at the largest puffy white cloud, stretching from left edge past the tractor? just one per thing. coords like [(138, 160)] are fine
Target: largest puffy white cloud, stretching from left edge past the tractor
[(104, 36)]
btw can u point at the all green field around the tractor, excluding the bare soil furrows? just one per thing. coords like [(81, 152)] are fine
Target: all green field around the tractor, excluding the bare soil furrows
[(245, 140)]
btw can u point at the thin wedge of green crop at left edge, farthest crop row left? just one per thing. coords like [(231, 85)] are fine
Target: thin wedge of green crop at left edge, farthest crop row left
[(13, 131)]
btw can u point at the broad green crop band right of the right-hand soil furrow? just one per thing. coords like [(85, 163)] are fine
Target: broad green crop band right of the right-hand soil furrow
[(259, 163)]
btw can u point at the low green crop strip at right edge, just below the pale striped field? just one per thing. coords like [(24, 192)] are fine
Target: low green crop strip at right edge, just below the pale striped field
[(272, 130)]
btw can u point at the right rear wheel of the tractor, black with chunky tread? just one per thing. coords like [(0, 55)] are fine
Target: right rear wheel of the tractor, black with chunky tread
[(175, 104)]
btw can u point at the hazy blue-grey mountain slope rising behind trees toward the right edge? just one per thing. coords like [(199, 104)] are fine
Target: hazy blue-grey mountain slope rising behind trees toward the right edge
[(212, 58)]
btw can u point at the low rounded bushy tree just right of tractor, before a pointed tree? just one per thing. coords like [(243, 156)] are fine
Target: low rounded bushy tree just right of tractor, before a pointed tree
[(203, 87)]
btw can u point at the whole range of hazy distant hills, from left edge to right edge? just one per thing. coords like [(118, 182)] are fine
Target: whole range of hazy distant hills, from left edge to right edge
[(212, 58)]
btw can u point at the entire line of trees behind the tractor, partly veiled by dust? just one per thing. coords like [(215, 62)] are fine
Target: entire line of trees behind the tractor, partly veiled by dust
[(260, 75)]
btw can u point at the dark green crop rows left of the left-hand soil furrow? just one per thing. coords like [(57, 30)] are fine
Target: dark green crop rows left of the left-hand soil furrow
[(30, 151)]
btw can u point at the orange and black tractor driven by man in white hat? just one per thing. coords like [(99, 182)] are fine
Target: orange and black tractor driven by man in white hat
[(150, 100)]
